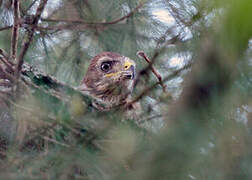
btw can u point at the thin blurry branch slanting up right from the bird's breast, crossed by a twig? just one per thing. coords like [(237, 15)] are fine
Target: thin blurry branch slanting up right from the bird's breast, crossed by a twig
[(148, 89)]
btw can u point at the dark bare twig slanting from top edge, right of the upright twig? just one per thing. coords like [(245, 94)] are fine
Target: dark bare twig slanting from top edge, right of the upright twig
[(29, 37)]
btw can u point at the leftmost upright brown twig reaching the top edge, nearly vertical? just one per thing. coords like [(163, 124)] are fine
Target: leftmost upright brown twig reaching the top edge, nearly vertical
[(15, 29)]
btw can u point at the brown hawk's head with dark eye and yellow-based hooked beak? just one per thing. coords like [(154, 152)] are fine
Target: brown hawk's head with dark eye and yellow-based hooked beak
[(109, 77)]
